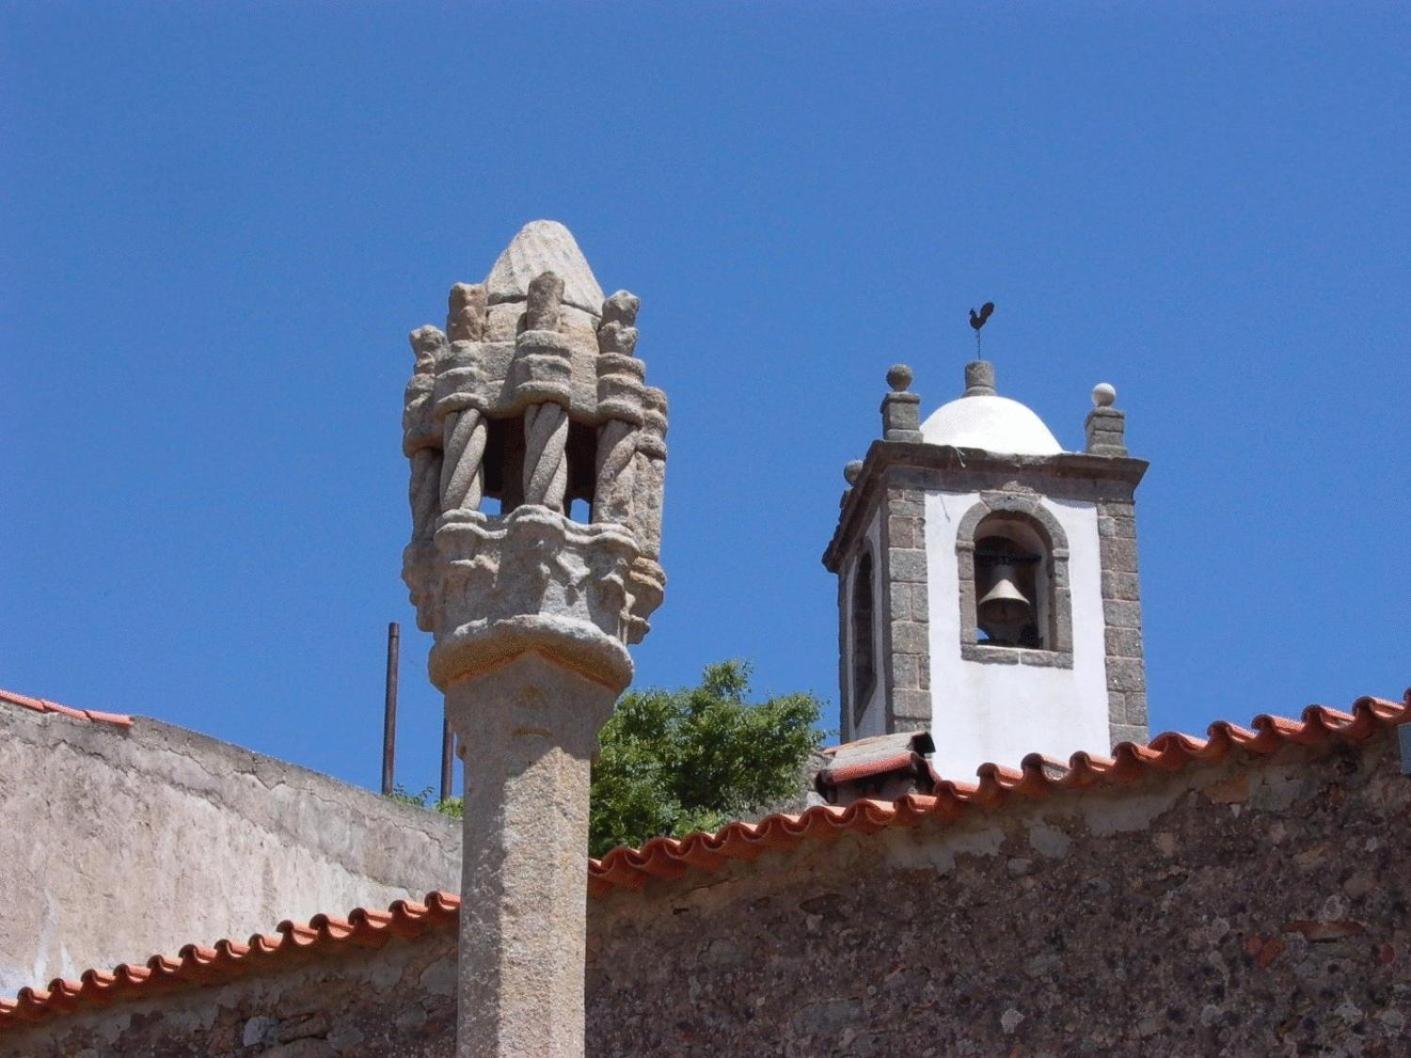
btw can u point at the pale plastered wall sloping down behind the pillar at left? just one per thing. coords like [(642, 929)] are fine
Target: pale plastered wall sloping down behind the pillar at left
[(125, 843)]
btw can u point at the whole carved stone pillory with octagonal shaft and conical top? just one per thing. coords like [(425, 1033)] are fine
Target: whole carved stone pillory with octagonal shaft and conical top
[(528, 406)]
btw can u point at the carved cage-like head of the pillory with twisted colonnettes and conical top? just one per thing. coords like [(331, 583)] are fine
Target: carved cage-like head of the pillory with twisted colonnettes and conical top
[(526, 355)]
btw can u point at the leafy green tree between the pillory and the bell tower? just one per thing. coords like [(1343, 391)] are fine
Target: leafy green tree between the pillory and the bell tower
[(692, 760)]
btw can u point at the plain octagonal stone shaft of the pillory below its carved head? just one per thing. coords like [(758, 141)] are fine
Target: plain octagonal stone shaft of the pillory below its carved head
[(530, 730)]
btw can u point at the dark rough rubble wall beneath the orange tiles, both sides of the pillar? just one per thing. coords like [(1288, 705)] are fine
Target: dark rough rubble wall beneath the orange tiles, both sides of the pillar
[(1248, 909)]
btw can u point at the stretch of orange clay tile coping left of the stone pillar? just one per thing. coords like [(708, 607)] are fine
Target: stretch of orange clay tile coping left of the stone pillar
[(226, 960)]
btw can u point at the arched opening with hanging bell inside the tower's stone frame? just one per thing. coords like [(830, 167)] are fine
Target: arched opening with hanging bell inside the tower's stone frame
[(1014, 583)]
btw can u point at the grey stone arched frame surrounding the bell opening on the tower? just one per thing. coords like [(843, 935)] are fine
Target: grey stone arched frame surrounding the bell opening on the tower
[(1029, 510)]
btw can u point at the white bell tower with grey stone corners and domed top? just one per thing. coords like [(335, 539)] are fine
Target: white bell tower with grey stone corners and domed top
[(988, 580)]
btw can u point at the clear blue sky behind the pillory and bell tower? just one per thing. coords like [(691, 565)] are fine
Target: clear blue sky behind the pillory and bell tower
[(221, 221)]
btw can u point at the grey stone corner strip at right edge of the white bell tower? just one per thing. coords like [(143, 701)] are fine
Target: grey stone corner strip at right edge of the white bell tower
[(1122, 613)]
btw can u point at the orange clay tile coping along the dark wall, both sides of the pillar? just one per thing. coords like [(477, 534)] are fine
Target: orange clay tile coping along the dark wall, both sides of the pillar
[(624, 868)]
